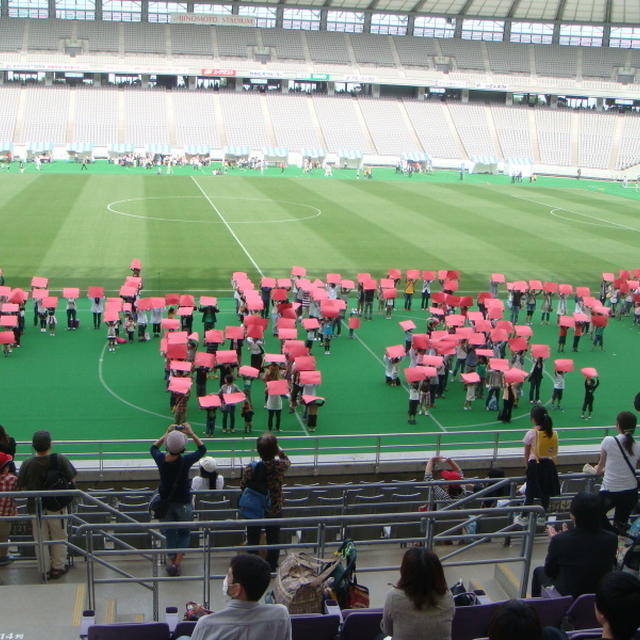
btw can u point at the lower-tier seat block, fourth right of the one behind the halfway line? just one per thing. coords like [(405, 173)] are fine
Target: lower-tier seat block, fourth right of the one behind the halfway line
[(379, 114)]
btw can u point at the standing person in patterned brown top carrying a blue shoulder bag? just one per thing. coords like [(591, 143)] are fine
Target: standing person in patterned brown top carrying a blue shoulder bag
[(276, 465)]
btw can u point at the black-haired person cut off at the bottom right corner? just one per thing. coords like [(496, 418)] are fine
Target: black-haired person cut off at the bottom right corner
[(618, 606)]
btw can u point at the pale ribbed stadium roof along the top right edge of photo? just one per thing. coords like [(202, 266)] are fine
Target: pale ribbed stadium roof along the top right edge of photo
[(596, 11)]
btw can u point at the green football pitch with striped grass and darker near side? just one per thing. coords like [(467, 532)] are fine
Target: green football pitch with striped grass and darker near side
[(191, 230)]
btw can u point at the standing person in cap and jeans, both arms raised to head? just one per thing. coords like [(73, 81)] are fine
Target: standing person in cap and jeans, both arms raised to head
[(174, 486)]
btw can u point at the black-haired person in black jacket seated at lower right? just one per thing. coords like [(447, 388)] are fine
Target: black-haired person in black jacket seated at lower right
[(577, 559)]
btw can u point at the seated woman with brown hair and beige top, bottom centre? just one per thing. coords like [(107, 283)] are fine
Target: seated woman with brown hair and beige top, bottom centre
[(420, 605)]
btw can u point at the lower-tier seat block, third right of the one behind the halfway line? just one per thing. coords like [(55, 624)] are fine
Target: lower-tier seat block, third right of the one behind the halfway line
[(340, 123)]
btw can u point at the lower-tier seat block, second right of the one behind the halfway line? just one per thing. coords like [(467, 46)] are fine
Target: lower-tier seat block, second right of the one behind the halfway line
[(291, 120)]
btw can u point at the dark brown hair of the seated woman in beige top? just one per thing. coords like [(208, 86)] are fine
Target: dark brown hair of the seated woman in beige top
[(422, 577)]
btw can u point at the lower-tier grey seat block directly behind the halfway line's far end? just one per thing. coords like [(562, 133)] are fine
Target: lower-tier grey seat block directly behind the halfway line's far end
[(201, 127)]
